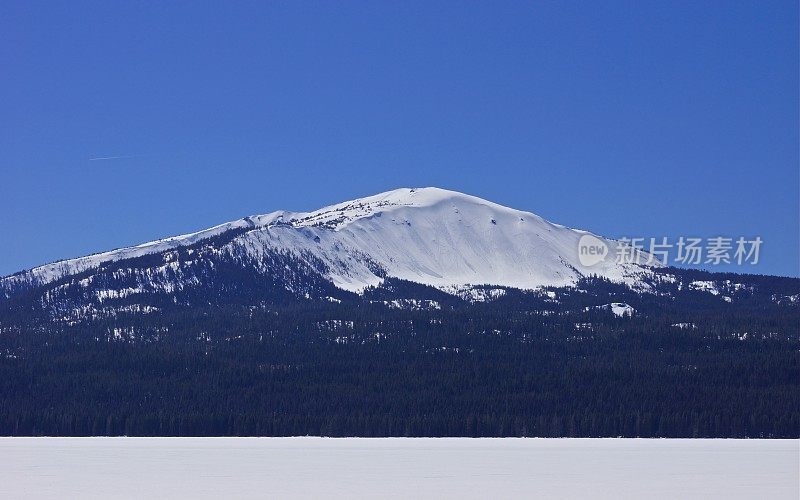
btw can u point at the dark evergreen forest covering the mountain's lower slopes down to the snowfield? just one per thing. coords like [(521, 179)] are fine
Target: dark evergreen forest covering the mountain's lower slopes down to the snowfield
[(685, 364)]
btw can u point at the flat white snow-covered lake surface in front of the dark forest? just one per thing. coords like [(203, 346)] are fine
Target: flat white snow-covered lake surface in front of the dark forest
[(397, 468)]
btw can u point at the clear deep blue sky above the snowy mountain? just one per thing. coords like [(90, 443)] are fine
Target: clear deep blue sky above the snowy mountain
[(625, 118)]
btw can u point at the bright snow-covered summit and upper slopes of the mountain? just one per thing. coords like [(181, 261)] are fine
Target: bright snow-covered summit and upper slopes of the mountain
[(432, 236)]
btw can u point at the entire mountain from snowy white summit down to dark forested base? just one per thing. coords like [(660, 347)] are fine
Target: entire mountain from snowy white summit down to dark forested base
[(249, 328)]
